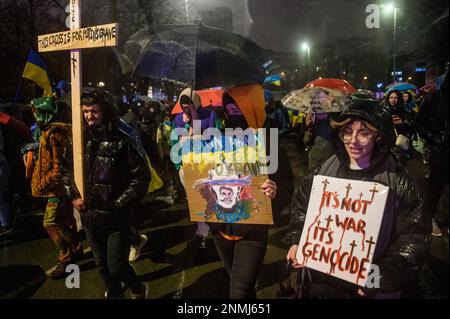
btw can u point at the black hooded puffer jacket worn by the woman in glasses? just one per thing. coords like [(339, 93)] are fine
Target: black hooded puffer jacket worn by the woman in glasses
[(404, 238)]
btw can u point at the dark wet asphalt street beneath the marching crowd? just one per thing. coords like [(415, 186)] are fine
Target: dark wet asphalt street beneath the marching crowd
[(170, 263)]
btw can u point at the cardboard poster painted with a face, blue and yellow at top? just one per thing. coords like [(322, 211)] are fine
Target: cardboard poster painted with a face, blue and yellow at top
[(228, 190)]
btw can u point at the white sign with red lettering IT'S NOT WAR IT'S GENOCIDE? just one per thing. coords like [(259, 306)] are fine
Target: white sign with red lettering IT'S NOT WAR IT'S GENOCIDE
[(342, 226)]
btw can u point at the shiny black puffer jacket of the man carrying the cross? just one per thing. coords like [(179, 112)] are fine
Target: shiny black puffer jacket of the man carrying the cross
[(117, 176)]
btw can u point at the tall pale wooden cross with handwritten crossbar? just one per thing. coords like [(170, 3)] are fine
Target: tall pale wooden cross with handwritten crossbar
[(74, 40)]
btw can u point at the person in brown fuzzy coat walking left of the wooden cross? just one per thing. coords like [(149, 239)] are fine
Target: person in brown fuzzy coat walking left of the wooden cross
[(54, 162)]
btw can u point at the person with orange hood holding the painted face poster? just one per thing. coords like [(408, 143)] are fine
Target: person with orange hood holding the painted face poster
[(242, 247)]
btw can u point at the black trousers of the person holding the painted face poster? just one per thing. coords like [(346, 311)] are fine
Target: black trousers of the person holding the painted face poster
[(243, 260)]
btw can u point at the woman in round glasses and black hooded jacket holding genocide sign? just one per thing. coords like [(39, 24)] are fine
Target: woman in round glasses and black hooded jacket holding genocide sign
[(366, 136)]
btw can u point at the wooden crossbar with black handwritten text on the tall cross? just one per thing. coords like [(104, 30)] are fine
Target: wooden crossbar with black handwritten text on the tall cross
[(91, 37)]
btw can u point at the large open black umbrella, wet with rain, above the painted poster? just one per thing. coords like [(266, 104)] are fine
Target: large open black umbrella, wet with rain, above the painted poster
[(201, 56)]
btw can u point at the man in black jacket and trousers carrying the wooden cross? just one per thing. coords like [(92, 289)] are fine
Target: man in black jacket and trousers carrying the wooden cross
[(117, 178)]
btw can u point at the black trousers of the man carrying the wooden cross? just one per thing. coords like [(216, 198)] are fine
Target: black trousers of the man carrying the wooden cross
[(110, 251)]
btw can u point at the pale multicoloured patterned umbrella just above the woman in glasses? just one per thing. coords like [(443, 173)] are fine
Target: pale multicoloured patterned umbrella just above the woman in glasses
[(316, 100)]
